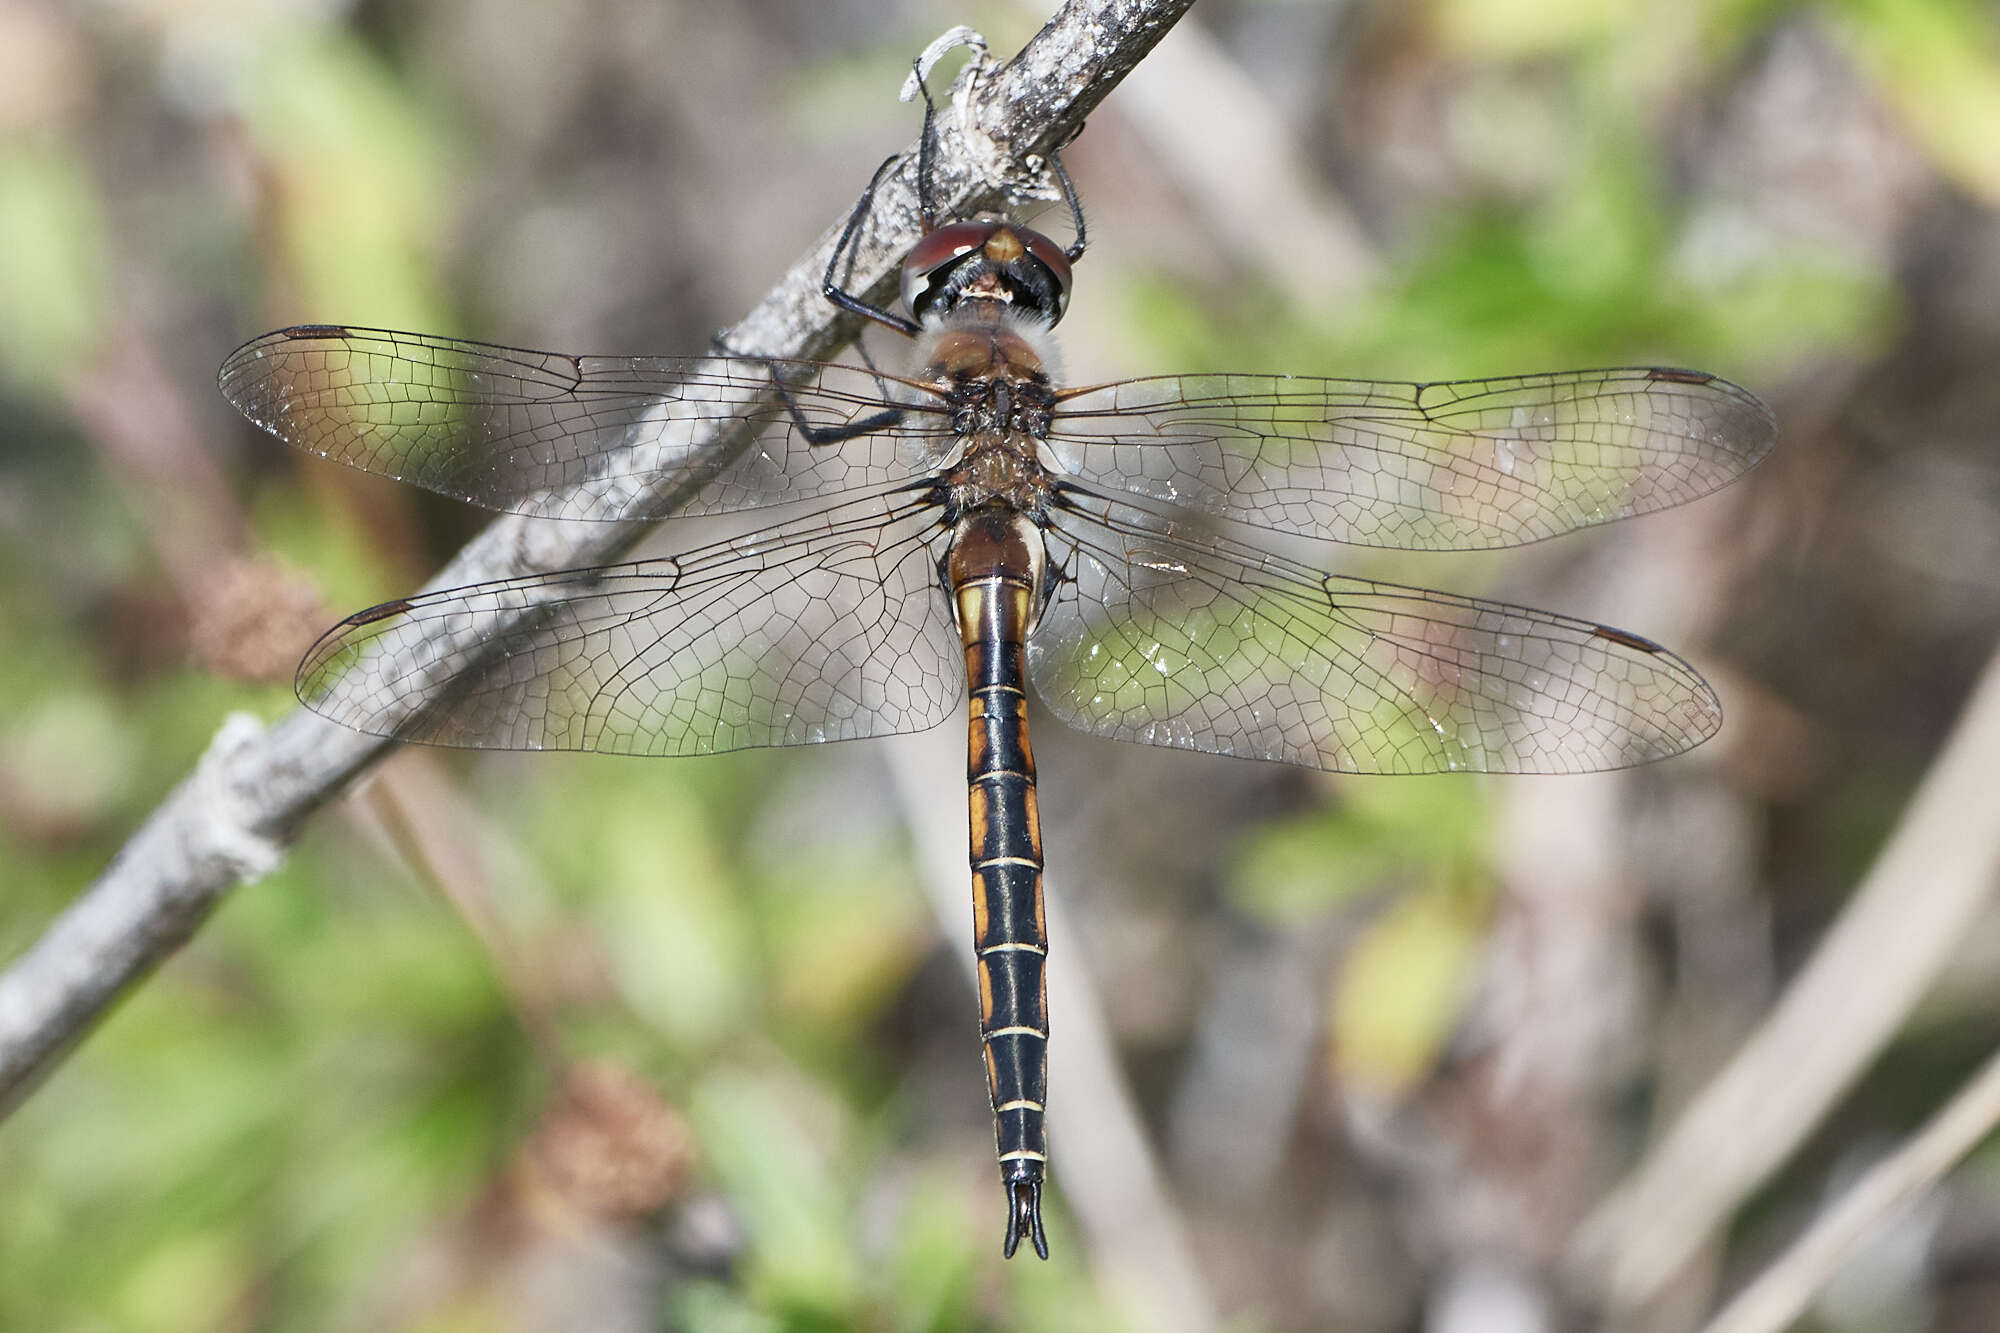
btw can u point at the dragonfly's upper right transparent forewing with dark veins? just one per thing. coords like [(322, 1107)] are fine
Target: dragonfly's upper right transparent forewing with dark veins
[(1419, 467)]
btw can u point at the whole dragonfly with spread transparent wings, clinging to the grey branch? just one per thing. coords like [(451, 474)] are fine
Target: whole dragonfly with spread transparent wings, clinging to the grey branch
[(973, 527)]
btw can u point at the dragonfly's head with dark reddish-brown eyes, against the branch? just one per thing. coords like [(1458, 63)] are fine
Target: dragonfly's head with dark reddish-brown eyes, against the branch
[(989, 259)]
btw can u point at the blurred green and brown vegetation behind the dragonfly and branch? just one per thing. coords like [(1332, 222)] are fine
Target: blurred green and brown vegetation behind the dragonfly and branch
[(557, 1044)]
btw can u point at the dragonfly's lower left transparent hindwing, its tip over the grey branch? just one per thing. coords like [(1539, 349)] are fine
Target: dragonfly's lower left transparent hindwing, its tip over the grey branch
[(821, 629)]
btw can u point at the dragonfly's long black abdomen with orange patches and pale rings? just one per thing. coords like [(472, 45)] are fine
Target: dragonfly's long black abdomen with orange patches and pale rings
[(997, 581)]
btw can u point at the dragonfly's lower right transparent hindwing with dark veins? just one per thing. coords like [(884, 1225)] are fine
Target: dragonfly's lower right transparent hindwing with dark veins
[(1211, 645)]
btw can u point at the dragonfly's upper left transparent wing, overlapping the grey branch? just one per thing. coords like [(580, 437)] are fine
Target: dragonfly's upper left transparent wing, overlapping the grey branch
[(577, 437)]
